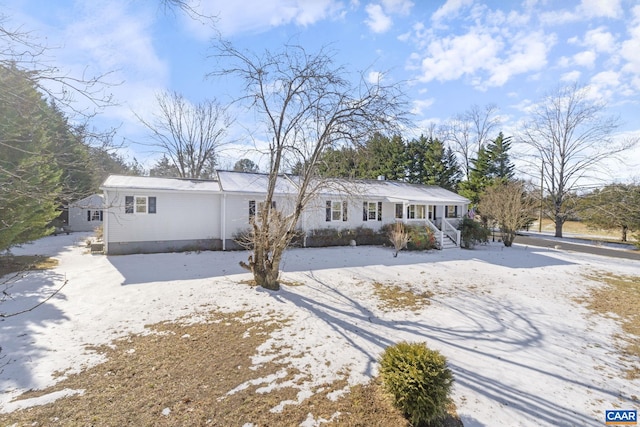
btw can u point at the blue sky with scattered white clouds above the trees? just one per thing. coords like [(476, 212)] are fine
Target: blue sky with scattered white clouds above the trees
[(448, 55)]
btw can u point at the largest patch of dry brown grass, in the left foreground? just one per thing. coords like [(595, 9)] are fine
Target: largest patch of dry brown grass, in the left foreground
[(190, 369)]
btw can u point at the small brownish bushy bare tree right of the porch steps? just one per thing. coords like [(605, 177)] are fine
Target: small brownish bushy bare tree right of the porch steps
[(510, 206)]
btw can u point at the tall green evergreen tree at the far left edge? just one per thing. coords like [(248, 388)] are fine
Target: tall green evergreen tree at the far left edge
[(30, 176)]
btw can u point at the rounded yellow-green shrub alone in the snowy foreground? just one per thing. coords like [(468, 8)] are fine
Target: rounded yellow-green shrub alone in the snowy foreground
[(418, 381)]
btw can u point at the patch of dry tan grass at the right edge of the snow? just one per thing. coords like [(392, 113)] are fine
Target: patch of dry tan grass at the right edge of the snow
[(621, 297)]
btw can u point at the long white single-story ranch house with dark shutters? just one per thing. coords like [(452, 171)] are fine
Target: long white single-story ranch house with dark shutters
[(149, 214)]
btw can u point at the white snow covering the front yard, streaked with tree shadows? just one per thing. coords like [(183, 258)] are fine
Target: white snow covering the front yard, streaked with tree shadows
[(523, 351)]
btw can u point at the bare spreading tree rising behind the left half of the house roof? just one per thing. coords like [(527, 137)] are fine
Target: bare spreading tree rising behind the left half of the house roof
[(189, 135)]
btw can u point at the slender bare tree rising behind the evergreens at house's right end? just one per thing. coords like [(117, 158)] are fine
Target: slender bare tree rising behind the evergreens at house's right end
[(469, 131)]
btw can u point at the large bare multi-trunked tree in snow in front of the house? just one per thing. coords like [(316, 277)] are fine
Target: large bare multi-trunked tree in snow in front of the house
[(307, 105)]
